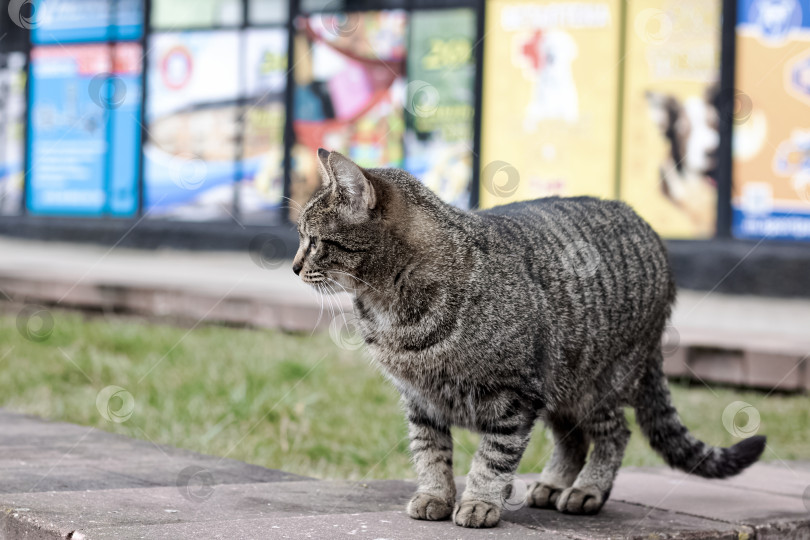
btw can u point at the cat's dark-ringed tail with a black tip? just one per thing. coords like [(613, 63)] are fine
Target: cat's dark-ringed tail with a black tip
[(661, 424)]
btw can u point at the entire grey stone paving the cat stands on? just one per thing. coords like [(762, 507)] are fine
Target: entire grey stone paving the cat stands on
[(61, 480)]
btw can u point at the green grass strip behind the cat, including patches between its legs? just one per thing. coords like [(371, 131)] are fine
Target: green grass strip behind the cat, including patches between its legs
[(292, 402)]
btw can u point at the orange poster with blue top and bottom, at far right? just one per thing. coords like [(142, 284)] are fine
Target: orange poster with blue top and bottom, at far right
[(771, 140)]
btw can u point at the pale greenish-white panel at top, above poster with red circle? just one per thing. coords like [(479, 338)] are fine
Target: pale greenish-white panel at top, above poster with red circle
[(170, 15)]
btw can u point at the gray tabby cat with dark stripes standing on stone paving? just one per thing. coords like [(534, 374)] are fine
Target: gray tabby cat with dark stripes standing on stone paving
[(551, 309)]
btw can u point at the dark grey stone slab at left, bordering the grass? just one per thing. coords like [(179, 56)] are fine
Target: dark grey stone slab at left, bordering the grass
[(37, 455)]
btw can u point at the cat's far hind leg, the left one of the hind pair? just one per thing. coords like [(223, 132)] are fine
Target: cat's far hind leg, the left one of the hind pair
[(567, 459)]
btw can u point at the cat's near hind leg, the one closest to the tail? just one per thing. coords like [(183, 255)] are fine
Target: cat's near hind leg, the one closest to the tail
[(607, 428)]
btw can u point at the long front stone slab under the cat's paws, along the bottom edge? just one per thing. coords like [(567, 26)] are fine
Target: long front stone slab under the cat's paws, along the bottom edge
[(336, 509)]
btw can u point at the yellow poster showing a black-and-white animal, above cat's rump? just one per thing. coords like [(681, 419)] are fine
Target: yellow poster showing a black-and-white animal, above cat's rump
[(670, 122)]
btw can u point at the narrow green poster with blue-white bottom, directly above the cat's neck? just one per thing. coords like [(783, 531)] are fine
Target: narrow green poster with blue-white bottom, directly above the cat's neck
[(440, 102)]
